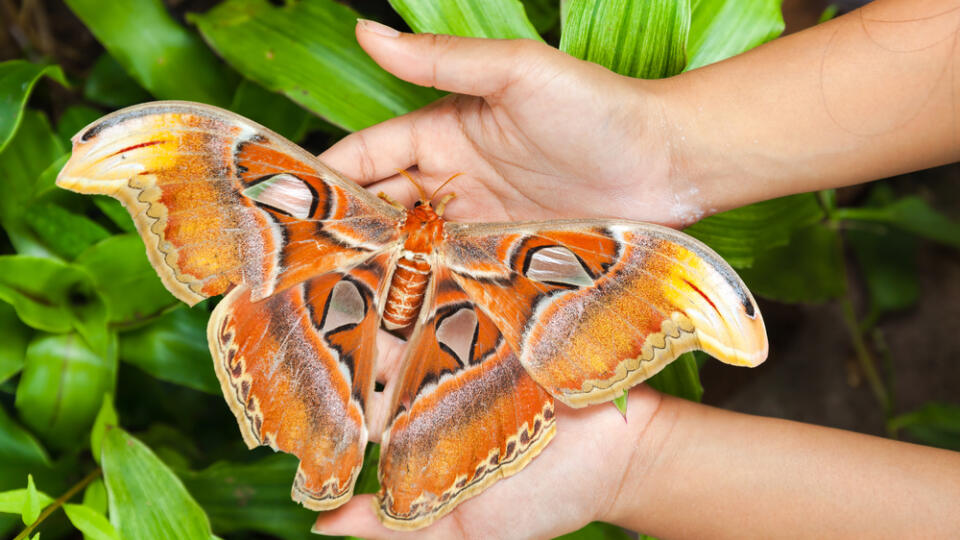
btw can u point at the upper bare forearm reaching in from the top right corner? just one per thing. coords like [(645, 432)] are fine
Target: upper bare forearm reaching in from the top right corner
[(871, 94)]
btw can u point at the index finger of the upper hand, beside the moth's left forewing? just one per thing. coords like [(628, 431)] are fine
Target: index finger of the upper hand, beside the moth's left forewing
[(377, 152)]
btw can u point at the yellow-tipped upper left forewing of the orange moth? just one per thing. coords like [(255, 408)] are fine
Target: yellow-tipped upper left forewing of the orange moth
[(220, 200)]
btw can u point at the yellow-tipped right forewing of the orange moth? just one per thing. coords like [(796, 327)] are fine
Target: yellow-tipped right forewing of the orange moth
[(594, 307)]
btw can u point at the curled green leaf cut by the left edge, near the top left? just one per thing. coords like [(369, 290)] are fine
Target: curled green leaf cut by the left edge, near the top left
[(17, 79)]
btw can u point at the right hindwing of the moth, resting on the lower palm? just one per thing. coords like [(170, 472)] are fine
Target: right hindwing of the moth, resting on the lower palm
[(465, 412)]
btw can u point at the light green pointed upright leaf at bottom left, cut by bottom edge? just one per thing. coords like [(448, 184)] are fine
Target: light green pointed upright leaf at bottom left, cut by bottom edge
[(146, 499)]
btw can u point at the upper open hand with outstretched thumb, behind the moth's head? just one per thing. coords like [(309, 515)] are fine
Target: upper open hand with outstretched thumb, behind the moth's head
[(538, 134)]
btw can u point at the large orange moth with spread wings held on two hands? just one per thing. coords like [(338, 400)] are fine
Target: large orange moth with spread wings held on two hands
[(507, 317)]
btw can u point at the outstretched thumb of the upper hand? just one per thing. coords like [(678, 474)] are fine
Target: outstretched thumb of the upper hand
[(473, 66)]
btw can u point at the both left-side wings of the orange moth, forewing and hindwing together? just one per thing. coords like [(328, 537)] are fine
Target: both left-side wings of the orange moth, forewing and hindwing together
[(226, 206)]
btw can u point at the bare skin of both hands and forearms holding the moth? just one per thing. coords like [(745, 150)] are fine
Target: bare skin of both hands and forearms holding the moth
[(541, 135)]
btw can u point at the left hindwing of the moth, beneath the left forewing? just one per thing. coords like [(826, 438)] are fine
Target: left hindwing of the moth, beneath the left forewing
[(296, 369)]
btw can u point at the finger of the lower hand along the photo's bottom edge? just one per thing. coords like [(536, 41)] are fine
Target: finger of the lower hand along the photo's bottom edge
[(359, 518)]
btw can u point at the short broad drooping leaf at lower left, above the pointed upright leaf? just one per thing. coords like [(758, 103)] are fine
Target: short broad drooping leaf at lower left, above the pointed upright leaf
[(62, 387)]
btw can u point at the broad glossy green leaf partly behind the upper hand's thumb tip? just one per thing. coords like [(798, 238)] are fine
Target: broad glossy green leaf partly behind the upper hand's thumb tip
[(308, 51)]
